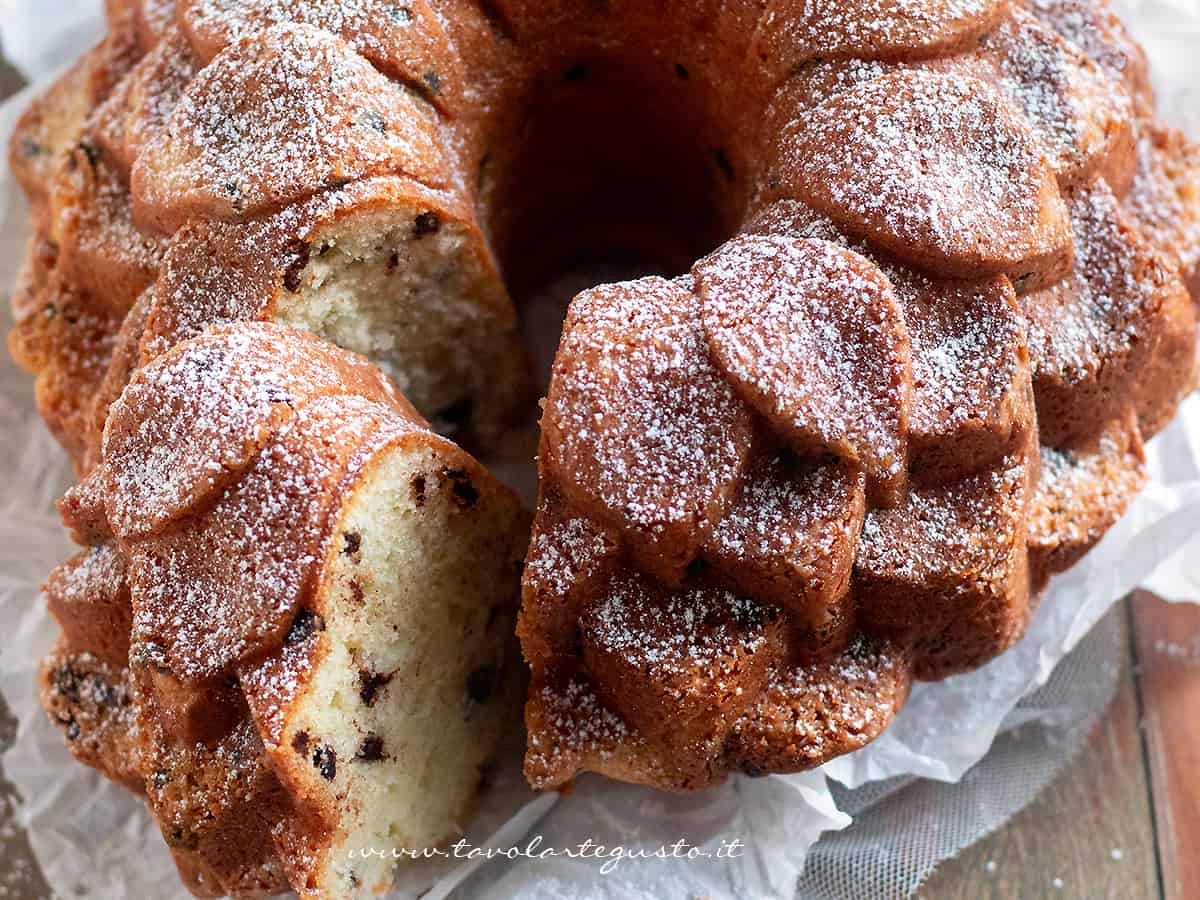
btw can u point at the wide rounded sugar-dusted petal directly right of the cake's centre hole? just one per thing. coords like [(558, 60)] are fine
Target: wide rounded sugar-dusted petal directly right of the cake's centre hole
[(934, 167)]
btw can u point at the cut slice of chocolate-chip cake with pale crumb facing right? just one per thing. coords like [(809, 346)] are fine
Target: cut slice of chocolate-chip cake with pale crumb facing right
[(322, 595)]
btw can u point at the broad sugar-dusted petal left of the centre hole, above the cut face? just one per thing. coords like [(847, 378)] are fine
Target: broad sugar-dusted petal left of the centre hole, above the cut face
[(279, 117)]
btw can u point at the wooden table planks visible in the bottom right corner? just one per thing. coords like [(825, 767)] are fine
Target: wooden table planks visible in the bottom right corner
[(1124, 820)]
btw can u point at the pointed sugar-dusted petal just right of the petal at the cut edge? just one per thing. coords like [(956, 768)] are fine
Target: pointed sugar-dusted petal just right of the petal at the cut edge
[(815, 341)]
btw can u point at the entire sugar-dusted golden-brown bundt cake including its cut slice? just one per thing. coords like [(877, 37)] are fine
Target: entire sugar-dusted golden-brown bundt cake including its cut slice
[(945, 292)]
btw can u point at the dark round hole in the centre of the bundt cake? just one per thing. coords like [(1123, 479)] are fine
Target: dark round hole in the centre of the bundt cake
[(617, 169)]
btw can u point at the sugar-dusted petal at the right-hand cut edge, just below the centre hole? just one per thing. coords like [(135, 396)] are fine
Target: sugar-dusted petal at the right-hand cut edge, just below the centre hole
[(638, 417)]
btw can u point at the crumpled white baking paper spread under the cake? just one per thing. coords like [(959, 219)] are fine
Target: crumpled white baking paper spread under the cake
[(94, 839)]
